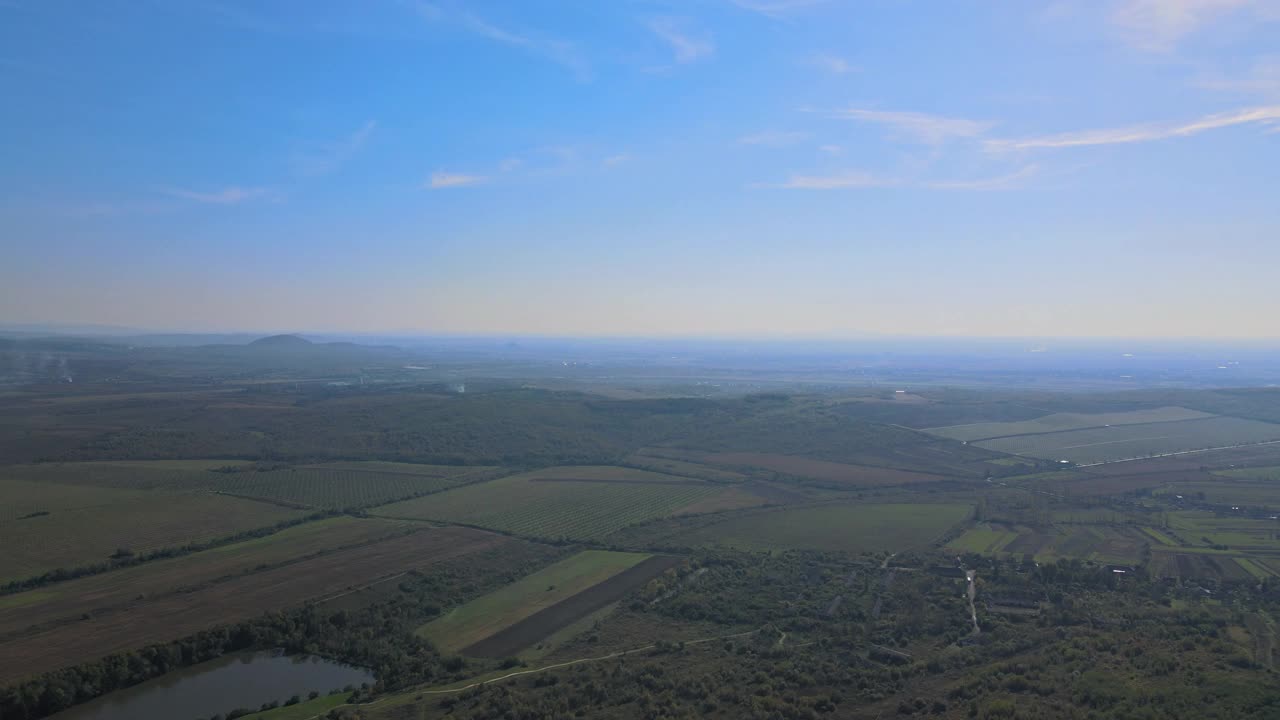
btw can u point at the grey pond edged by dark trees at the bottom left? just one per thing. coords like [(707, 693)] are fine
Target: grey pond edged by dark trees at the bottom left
[(220, 687)]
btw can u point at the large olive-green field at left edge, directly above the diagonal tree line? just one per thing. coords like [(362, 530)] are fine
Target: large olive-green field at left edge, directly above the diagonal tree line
[(92, 535)]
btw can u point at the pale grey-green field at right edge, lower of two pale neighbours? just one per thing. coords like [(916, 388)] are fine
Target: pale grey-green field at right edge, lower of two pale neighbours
[(1122, 443)]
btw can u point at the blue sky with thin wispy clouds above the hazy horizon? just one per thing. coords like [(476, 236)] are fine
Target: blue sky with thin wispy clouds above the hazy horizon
[(714, 168)]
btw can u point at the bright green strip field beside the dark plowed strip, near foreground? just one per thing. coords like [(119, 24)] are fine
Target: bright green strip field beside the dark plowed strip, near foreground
[(499, 610)]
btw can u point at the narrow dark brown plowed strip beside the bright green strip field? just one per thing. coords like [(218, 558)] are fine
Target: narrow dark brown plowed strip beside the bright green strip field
[(547, 622)]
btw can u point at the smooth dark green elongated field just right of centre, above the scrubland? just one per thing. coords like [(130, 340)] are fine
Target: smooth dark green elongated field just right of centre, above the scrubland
[(851, 528)]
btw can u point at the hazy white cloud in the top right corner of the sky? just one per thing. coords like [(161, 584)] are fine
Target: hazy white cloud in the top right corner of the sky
[(1162, 25)]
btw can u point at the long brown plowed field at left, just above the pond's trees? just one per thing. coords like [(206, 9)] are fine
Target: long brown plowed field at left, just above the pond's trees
[(239, 599)]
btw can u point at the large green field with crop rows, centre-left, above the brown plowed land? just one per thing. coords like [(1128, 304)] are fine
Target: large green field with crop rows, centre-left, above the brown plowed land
[(534, 505)]
